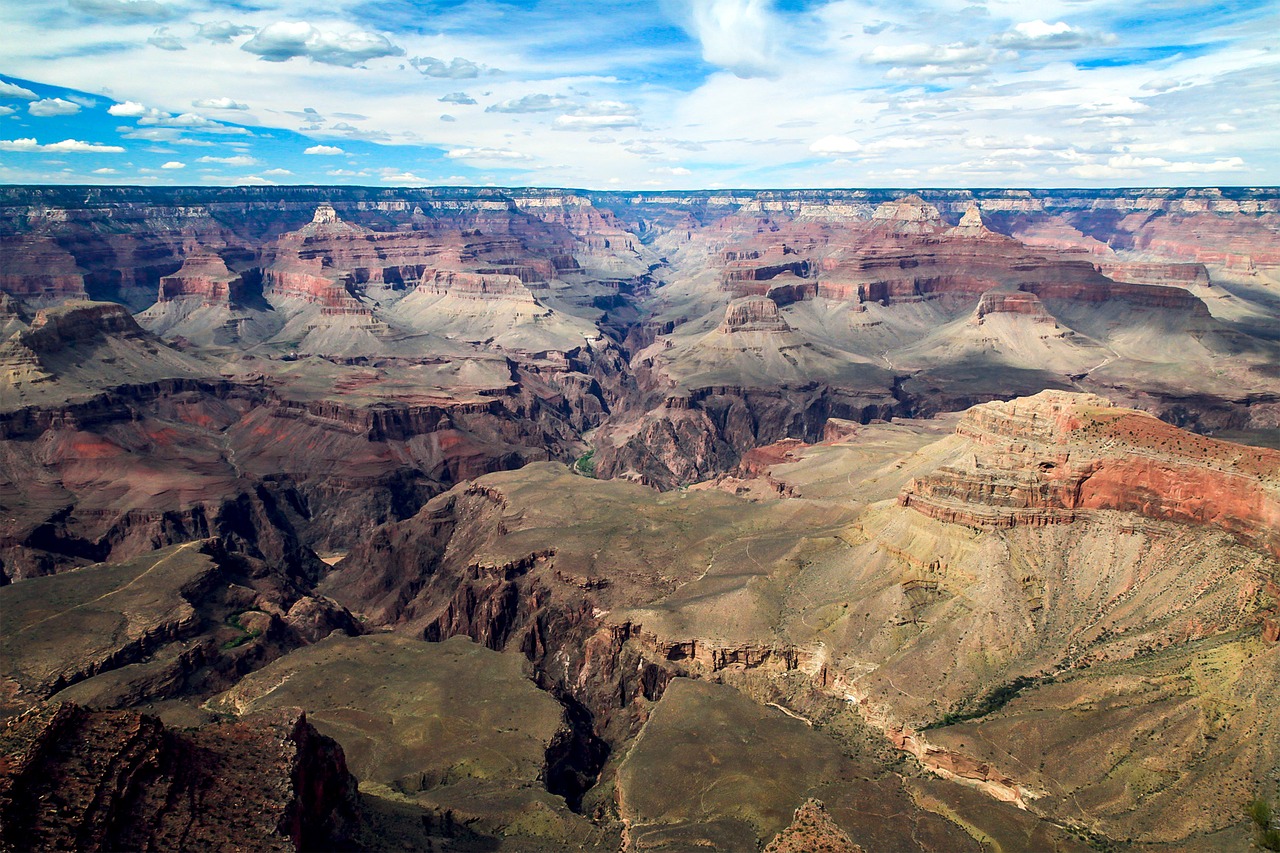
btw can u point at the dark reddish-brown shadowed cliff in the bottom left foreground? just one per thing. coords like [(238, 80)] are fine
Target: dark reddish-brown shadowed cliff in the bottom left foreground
[(107, 781)]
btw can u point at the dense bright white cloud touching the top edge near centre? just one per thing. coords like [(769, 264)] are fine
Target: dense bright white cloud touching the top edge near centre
[(737, 35)]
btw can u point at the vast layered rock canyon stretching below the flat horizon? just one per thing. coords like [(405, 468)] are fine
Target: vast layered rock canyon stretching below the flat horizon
[(456, 518)]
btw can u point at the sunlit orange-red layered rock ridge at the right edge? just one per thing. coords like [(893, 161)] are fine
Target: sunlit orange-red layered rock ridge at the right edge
[(1053, 458)]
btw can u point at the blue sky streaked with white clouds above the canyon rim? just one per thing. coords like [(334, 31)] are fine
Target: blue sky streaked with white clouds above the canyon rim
[(642, 95)]
